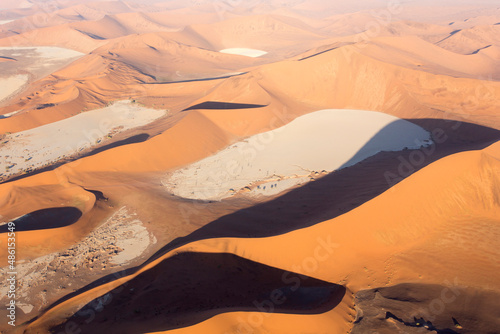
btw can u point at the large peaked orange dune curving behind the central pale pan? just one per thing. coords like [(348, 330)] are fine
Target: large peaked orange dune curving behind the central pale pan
[(392, 89)]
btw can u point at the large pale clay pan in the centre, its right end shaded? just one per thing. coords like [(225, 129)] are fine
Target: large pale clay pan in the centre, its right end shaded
[(307, 148)]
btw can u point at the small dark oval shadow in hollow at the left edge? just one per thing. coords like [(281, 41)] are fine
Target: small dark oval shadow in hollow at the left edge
[(45, 219)]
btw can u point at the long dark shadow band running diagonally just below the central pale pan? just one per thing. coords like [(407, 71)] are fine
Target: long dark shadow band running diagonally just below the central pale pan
[(328, 197)]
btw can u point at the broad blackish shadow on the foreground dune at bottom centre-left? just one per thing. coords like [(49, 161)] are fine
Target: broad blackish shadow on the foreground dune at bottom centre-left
[(192, 287)]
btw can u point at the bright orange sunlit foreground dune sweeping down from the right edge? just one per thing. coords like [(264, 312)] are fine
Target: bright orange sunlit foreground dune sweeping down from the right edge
[(411, 237)]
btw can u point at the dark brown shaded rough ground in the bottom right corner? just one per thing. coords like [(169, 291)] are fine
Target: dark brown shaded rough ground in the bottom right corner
[(415, 308)]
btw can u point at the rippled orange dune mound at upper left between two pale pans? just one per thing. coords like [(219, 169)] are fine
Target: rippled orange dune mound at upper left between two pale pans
[(88, 83)]
